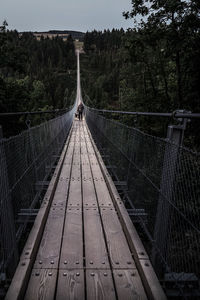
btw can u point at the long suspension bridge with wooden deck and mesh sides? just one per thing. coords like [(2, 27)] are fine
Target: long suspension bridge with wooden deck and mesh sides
[(85, 189)]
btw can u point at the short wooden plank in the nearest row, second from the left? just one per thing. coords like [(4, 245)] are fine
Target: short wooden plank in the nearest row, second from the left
[(71, 285)]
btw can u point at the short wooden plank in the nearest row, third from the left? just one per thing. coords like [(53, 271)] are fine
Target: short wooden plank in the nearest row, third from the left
[(100, 285)]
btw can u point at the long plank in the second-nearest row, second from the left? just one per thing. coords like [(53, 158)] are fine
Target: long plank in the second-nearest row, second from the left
[(72, 243)]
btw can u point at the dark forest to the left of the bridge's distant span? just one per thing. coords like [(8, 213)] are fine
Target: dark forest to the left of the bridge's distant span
[(34, 75)]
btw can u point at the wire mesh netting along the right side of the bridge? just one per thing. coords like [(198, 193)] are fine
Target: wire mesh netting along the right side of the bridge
[(164, 180)]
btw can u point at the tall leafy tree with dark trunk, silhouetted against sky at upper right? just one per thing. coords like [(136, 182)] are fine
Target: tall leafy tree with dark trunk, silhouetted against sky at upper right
[(178, 23)]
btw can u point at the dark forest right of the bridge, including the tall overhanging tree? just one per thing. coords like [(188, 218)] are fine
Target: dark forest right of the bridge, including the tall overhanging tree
[(153, 67)]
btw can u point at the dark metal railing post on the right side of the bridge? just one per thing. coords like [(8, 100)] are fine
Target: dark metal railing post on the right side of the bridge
[(175, 135)]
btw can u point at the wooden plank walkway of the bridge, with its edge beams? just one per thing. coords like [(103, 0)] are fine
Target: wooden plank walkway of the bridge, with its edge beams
[(83, 244)]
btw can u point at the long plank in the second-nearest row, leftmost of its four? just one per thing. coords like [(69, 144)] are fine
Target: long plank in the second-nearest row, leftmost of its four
[(49, 250)]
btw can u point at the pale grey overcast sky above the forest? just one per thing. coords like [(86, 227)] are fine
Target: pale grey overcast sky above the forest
[(80, 15)]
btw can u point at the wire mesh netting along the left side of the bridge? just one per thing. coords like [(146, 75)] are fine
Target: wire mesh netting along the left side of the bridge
[(25, 160)]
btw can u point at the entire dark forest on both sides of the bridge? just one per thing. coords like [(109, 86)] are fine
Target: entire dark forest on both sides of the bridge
[(153, 67)]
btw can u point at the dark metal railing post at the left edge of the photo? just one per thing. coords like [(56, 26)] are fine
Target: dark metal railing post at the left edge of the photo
[(7, 227)]
